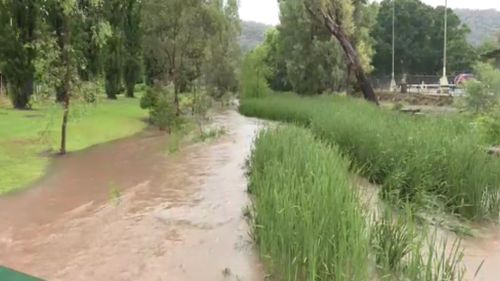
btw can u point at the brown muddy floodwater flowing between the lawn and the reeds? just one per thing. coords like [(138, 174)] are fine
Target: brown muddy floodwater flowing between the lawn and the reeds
[(127, 211)]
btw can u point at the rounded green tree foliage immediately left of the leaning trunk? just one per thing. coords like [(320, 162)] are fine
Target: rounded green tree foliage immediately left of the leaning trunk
[(305, 51)]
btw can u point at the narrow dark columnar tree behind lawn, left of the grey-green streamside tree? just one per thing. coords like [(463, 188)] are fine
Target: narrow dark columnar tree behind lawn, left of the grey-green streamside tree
[(133, 48)]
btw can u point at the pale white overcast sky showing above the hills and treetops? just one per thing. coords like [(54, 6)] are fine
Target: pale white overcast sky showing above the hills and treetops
[(267, 11)]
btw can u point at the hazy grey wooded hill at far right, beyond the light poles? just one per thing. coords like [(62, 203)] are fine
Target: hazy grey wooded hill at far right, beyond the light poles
[(484, 24)]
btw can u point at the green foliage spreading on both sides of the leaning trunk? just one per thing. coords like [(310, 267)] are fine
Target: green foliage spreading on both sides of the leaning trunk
[(302, 54)]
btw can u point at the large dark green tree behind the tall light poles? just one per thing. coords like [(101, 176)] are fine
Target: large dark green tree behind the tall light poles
[(419, 50)]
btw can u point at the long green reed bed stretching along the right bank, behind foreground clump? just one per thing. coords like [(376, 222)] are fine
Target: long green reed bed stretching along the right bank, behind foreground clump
[(433, 163)]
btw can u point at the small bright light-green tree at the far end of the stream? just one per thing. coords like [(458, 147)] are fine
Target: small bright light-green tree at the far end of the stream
[(254, 73)]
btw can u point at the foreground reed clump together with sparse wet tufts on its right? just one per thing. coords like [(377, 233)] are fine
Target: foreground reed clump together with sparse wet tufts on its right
[(309, 223)]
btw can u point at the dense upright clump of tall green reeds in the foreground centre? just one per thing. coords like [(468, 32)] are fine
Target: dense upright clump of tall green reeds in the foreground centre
[(304, 228)]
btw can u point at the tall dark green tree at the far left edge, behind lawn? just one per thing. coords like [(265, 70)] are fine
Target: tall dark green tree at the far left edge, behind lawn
[(18, 20)]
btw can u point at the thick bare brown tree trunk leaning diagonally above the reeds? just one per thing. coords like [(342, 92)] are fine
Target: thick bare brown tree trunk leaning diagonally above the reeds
[(352, 55)]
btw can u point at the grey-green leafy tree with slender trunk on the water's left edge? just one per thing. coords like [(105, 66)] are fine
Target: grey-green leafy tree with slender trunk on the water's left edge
[(174, 41)]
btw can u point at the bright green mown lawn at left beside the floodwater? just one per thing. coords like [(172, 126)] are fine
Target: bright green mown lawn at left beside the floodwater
[(25, 135)]
